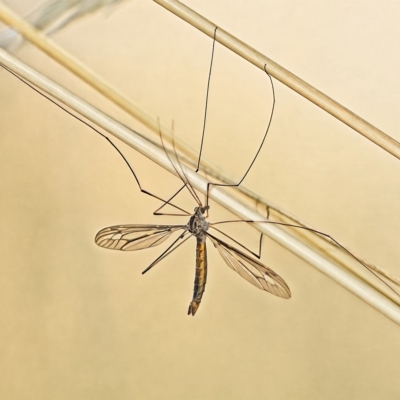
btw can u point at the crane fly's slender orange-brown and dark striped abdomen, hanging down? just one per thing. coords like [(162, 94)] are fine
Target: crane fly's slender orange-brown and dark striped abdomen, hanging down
[(201, 274)]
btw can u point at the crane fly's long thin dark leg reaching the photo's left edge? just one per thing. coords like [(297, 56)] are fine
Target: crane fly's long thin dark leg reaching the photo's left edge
[(108, 140)]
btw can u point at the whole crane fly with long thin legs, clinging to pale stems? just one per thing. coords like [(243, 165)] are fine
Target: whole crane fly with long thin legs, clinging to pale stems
[(141, 236)]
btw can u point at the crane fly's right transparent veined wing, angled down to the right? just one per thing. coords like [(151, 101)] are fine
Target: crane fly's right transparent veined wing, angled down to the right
[(251, 269)]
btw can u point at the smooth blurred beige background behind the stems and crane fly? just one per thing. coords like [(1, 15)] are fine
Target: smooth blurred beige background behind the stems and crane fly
[(80, 322)]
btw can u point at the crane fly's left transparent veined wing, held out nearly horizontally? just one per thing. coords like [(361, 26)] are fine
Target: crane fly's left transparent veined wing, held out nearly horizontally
[(134, 237)]
